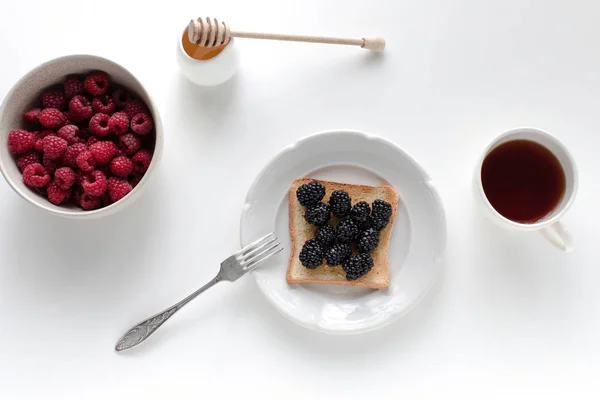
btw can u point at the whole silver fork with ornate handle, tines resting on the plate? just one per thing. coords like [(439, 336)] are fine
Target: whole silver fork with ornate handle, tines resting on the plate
[(232, 269)]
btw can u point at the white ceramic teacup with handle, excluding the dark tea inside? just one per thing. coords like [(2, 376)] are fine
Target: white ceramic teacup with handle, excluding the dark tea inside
[(549, 226)]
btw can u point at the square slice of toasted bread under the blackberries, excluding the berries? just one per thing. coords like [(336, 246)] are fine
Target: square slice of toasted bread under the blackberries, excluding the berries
[(301, 231)]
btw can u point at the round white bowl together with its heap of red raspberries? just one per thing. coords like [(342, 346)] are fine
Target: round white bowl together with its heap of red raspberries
[(80, 137)]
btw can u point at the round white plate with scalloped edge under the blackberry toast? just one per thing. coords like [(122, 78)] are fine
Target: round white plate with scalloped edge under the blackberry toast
[(416, 246)]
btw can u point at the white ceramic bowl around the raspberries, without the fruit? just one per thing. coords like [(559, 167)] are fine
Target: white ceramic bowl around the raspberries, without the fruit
[(24, 94)]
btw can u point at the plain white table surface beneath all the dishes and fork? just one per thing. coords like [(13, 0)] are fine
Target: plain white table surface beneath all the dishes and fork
[(511, 317)]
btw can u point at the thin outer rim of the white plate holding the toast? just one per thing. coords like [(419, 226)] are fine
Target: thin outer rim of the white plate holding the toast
[(393, 316)]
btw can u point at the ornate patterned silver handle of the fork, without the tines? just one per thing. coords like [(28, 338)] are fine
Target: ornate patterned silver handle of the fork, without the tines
[(144, 329)]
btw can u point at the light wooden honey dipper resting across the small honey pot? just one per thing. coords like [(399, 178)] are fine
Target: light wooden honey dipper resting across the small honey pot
[(207, 32)]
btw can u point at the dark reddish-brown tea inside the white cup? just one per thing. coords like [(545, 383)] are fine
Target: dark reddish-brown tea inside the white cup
[(523, 180)]
